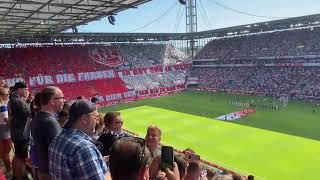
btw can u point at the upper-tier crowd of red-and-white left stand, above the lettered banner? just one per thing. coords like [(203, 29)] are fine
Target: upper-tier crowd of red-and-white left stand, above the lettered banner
[(77, 58)]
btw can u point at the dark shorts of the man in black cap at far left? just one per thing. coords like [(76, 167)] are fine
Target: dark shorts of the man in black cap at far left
[(21, 148)]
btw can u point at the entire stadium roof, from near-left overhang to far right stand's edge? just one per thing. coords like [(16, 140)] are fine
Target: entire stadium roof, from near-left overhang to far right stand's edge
[(49, 18)]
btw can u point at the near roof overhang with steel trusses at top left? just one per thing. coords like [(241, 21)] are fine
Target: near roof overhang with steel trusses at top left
[(41, 17)]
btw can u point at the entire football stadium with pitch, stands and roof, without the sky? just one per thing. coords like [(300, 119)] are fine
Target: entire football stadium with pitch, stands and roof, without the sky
[(245, 99)]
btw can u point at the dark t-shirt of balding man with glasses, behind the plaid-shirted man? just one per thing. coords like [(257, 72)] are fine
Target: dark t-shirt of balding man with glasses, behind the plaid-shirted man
[(44, 127)]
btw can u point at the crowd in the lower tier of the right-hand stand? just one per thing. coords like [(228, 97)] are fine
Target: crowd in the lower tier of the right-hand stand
[(269, 80)]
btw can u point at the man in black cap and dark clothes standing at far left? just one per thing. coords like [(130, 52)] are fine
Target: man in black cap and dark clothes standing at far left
[(19, 118)]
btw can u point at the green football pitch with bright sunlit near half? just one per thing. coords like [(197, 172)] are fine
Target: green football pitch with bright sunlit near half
[(270, 145)]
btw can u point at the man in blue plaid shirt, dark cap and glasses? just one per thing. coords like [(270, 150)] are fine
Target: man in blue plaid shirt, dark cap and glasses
[(72, 155)]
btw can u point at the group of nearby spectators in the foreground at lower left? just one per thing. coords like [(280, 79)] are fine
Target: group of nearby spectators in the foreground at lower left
[(66, 149)]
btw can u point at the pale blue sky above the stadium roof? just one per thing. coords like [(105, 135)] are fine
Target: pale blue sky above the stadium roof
[(210, 15)]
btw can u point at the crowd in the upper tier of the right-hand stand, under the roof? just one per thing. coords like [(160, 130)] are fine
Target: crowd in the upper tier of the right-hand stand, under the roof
[(281, 43)]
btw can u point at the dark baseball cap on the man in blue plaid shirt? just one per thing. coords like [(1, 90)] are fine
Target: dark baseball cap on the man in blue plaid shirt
[(79, 108)]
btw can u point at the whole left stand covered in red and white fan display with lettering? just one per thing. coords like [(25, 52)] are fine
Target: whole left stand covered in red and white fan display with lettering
[(90, 70)]
